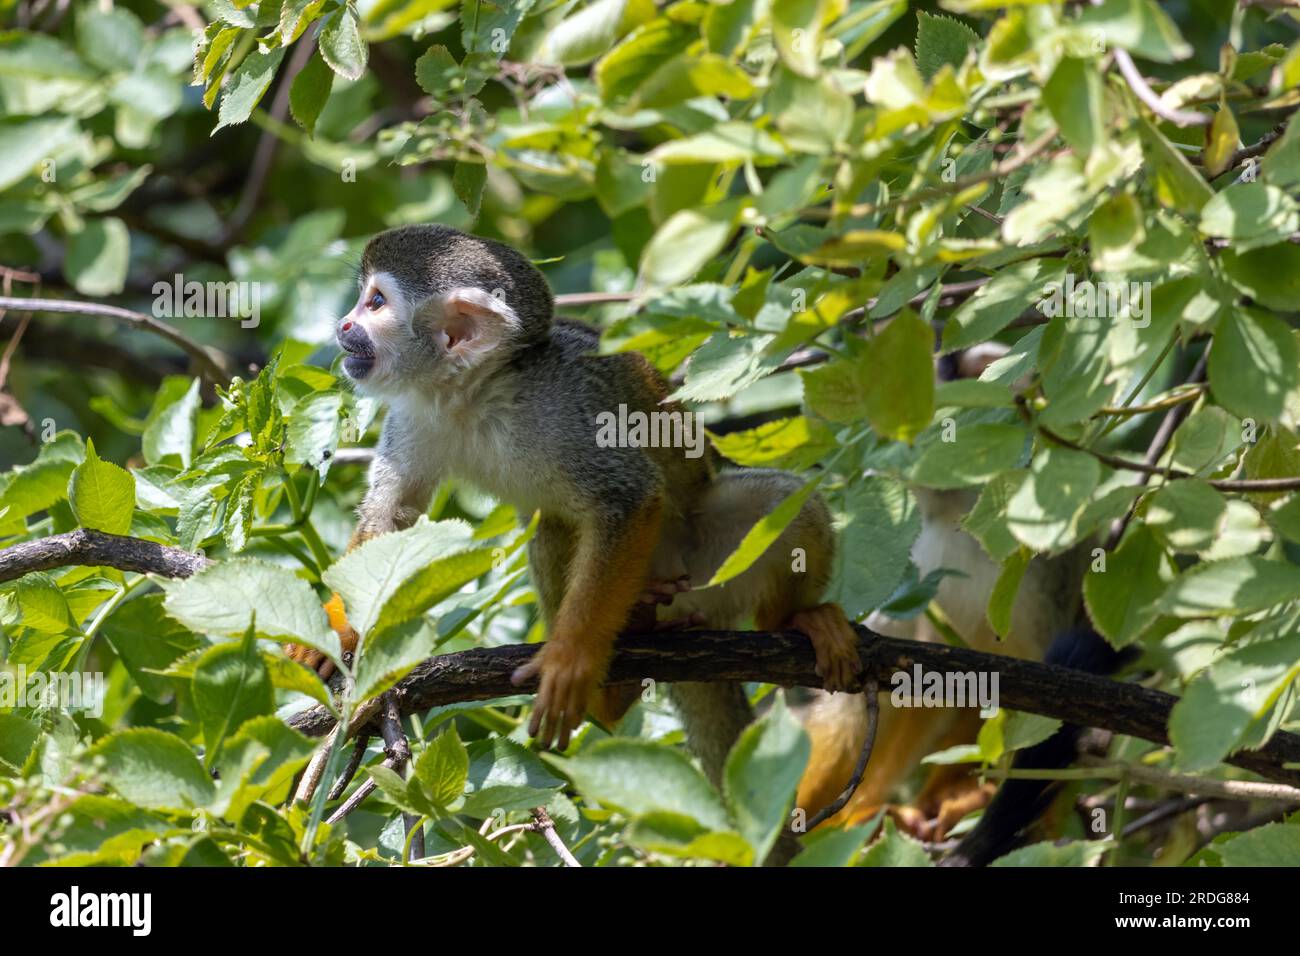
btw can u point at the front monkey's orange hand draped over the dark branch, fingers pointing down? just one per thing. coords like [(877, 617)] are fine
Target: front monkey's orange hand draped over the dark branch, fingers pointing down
[(569, 676)]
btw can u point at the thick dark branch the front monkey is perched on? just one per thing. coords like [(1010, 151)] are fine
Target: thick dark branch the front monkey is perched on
[(787, 660)]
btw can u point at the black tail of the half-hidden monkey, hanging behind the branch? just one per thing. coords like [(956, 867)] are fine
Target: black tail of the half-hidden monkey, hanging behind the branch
[(1020, 803)]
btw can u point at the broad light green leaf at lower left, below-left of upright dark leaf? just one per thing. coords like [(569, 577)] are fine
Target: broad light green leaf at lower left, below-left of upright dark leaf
[(154, 769)]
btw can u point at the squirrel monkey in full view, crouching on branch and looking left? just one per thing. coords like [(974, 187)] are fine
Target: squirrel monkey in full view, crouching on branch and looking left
[(456, 334)]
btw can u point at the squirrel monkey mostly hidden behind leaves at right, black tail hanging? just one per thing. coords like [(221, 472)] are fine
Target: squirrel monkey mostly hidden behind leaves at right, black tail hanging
[(1045, 626)]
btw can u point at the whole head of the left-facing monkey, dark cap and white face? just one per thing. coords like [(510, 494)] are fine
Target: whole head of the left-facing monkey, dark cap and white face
[(436, 306)]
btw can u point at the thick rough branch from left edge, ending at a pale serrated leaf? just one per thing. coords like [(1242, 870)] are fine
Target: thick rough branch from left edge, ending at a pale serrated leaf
[(98, 550)]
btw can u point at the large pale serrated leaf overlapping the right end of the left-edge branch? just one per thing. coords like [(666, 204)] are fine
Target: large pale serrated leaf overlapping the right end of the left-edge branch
[(223, 600)]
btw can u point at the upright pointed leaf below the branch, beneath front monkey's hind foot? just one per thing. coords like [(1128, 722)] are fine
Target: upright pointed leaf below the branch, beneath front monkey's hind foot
[(762, 775)]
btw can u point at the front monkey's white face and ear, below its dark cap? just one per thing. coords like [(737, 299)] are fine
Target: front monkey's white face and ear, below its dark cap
[(393, 344)]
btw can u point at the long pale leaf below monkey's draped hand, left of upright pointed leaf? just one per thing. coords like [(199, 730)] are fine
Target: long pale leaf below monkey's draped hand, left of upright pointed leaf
[(643, 777)]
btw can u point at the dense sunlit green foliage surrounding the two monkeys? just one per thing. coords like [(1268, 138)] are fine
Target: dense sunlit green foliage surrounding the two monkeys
[(752, 174)]
